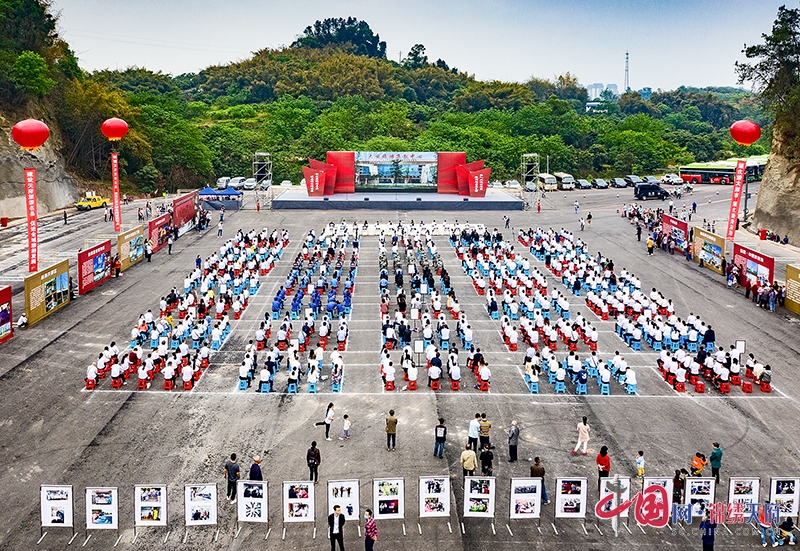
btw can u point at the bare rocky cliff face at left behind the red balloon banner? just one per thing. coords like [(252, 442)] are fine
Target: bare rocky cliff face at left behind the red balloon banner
[(55, 188)]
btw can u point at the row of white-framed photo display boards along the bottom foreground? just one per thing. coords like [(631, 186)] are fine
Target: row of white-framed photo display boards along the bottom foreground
[(480, 494)]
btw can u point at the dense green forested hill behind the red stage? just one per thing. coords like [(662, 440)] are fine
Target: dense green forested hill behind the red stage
[(334, 89)]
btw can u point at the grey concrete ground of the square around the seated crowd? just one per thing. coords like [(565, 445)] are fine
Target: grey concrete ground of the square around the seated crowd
[(53, 432)]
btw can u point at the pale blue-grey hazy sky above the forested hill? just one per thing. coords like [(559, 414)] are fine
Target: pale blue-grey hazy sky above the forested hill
[(671, 42)]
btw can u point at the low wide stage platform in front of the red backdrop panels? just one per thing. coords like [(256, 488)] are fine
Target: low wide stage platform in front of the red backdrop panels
[(496, 200)]
